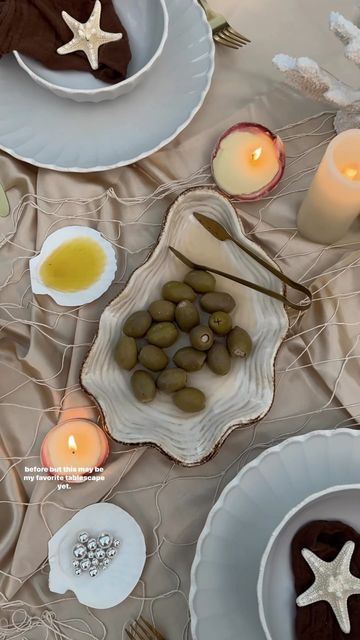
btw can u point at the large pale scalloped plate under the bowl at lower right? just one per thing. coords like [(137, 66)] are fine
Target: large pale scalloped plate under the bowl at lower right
[(223, 599)]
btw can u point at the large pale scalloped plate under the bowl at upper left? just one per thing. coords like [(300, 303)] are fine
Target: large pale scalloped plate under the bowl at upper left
[(41, 128)]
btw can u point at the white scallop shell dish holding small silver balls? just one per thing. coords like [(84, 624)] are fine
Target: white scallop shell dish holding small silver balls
[(109, 587)]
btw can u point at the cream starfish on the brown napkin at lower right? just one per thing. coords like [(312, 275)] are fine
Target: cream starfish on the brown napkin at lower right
[(333, 583)]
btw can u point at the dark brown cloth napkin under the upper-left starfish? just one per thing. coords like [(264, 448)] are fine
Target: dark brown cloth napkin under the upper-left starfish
[(36, 28)]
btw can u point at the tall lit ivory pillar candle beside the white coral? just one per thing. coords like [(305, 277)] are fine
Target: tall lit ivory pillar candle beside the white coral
[(333, 200)]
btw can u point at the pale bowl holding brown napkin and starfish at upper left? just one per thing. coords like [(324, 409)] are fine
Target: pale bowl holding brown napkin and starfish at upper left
[(147, 24)]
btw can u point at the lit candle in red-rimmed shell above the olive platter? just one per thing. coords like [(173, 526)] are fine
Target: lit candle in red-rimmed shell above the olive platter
[(248, 161)]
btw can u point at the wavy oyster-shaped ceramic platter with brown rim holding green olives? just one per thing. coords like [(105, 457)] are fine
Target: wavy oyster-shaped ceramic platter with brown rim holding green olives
[(243, 396)]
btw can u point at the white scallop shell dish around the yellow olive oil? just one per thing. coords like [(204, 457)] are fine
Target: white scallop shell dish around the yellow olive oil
[(84, 296)]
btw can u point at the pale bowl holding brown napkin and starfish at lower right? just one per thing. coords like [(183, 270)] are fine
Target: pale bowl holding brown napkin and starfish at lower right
[(277, 605)]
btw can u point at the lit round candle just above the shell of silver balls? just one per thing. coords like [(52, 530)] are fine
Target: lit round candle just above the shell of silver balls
[(74, 449)]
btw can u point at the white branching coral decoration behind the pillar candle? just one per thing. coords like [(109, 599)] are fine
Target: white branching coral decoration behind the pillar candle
[(307, 76)]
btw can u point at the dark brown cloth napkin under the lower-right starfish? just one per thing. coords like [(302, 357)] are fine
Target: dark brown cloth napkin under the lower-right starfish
[(325, 539)]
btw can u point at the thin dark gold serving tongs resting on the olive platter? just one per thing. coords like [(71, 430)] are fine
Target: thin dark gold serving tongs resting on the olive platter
[(219, 232)]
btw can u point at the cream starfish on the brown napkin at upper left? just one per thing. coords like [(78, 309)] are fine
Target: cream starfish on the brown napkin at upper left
[(88, 36)]
